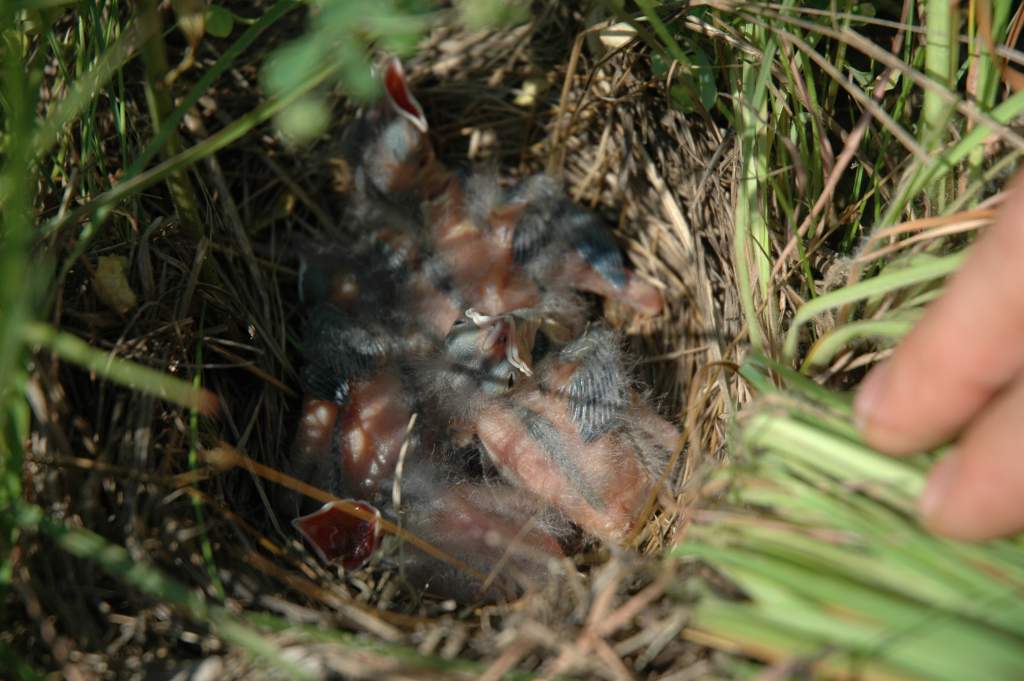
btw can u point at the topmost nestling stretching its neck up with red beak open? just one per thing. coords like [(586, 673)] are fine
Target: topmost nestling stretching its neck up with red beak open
[(487, 247)]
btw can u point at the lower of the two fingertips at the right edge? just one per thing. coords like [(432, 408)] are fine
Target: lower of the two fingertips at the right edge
[(977, 492)]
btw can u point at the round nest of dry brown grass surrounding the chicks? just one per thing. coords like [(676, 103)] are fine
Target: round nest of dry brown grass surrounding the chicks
[(549, 96)]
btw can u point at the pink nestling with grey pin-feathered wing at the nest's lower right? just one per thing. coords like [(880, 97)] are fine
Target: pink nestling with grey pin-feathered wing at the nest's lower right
[(572, 432)]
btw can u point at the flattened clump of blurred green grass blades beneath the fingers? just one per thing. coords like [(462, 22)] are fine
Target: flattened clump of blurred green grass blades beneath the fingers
[(820, 534)]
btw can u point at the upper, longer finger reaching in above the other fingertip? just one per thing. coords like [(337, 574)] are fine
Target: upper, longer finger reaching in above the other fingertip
[(964, 351)]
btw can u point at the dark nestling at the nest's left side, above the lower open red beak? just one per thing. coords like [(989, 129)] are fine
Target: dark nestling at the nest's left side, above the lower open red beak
[(358, 407)]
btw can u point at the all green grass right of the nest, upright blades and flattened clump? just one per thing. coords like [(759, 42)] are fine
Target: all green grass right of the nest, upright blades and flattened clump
[(863, 161)]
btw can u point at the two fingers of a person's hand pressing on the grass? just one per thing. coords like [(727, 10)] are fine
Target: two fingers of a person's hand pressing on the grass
[(960, 374)]
